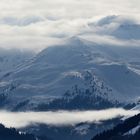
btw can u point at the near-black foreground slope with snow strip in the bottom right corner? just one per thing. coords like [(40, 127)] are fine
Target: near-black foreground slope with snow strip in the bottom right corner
[(127, 130)]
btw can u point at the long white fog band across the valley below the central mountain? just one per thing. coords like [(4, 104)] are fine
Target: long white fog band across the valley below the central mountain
[(60, 118)]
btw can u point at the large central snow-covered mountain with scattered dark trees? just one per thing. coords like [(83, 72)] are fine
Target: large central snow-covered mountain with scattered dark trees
[(76, 71)]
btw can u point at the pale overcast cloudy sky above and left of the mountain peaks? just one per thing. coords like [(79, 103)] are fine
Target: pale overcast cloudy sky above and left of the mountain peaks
[(38, 23)]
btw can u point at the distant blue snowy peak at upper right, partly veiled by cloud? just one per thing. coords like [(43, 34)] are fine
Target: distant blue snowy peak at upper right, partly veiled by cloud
[(118, 26)]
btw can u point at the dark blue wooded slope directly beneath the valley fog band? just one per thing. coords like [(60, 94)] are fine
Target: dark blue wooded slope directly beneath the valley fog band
[(81, 131)]
